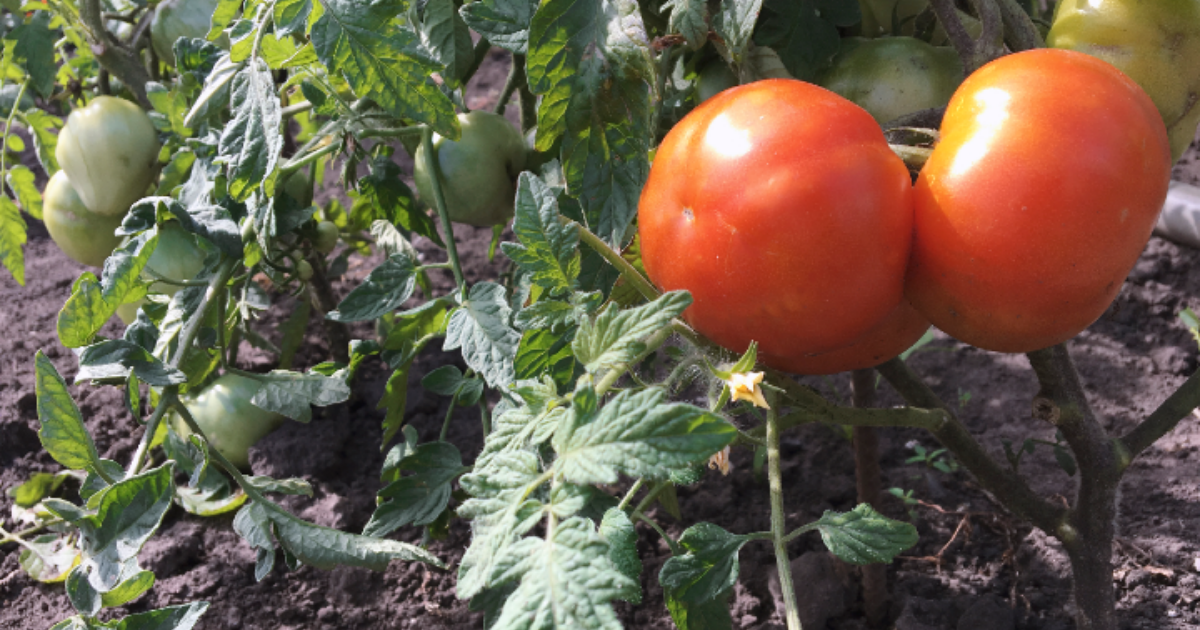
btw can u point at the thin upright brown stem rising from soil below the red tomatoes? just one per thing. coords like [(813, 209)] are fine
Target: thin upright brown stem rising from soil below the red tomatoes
[(871, 484)]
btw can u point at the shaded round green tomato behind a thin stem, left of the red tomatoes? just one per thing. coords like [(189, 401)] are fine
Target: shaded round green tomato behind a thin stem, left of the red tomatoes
[(479, 171)]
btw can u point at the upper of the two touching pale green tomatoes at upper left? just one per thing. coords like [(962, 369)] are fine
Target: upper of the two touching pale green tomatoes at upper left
[(110, 152)]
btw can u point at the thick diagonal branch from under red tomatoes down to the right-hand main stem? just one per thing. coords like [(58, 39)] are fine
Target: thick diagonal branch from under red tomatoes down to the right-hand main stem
[(1009, 487)]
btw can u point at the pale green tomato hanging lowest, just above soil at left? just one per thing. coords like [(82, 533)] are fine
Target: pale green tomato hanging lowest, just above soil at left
[(229, 419)]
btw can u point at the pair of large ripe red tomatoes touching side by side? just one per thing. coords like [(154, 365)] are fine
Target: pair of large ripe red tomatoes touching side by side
[(781, 207)]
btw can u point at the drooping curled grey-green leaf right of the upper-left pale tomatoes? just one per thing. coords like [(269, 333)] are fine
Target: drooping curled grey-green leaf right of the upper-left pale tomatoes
[(251, 142)]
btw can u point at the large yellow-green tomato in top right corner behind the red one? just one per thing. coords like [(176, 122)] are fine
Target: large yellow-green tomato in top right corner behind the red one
[(1156, 44)]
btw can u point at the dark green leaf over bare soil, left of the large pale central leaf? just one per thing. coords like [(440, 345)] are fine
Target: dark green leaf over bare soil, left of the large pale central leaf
[(421, 497)]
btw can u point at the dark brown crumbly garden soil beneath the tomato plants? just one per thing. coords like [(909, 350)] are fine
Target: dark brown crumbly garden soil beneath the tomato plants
[(976, 567)]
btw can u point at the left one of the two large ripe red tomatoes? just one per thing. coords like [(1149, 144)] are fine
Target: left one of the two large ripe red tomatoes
[(779, 206)]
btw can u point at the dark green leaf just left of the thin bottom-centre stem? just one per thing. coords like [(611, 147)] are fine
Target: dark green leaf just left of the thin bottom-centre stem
[(709, 568)]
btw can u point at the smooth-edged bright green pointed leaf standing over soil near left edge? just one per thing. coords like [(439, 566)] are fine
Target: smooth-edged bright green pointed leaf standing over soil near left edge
[(63, 433)]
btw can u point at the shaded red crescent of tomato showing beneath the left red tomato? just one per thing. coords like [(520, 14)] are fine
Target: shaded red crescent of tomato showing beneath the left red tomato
[(885, 341)]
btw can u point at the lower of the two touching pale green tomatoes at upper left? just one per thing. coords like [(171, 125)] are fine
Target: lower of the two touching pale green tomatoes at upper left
[(83, 236)]
